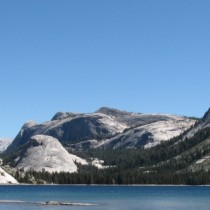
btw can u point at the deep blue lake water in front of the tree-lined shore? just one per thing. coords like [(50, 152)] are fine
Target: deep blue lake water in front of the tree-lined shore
[(106, 197)]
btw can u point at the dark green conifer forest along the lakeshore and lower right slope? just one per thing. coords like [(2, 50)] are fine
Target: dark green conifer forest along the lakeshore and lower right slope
[(171, 162)]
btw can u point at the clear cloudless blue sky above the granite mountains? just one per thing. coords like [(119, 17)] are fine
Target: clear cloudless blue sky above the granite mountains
[(78, 55)]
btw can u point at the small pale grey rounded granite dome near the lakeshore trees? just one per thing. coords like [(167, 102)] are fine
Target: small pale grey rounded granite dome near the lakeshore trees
[(45, 153)]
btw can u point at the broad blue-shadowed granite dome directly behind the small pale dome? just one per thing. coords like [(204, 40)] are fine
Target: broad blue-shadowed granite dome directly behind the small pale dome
[(71, 128)]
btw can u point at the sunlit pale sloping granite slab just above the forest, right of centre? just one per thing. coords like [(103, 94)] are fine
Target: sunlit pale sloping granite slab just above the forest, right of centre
[(147, 135)]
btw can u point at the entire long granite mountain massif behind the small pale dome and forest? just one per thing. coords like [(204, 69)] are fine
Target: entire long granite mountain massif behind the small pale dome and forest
[(105, 128)]
